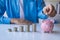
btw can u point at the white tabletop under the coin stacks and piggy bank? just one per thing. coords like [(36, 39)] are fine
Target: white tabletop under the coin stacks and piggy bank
[(6, 35)]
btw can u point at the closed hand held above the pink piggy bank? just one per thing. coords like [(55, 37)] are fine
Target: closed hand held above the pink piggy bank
[(49, 10)]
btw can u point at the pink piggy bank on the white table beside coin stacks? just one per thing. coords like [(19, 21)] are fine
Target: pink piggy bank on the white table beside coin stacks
[(47, 26)]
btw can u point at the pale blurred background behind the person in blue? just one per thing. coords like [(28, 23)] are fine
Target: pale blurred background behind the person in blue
[(56, 3)]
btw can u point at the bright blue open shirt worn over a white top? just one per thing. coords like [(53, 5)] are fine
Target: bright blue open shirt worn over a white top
[(32, 10)]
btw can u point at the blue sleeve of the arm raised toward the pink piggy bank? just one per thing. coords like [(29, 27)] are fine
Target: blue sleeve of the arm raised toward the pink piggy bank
[(41, 14)]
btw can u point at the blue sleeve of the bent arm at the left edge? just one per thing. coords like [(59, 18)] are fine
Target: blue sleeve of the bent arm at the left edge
[(3, 20)]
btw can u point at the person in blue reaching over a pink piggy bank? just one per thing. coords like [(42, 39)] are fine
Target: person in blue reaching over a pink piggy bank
[(32, 10)]
